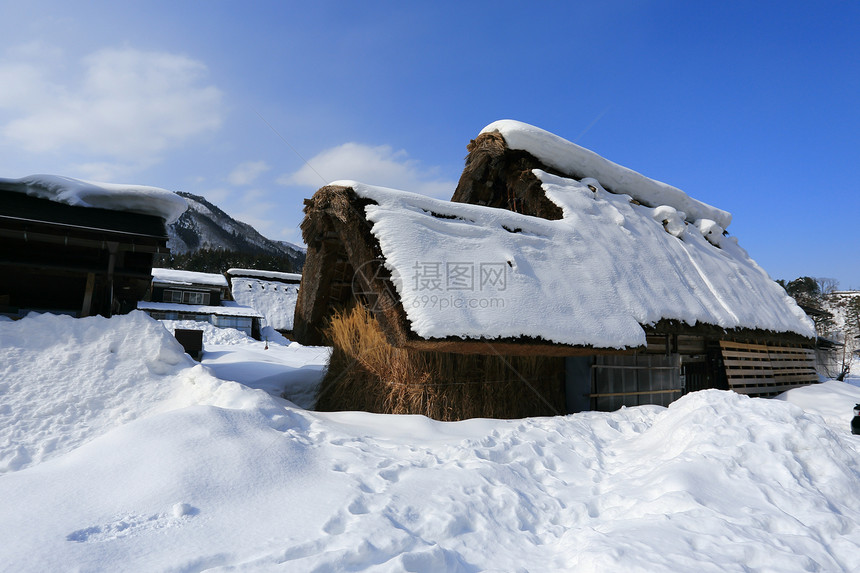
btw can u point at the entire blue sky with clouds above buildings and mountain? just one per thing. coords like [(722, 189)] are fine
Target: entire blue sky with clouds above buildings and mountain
[(753, 107)]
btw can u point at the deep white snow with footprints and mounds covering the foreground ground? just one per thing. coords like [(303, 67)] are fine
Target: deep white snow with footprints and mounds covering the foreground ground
[(119, 453)]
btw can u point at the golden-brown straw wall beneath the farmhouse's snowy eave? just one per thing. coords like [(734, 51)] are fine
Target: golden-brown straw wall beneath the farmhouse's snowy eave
[(366, 373)]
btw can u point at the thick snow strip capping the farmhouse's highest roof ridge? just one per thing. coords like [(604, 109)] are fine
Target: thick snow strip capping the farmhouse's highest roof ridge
[(577, 161)]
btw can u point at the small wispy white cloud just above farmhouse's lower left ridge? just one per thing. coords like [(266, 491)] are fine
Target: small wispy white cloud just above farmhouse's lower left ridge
[(379, 165)]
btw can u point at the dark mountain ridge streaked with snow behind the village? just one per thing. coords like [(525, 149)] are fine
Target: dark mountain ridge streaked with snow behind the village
[(205, 226)]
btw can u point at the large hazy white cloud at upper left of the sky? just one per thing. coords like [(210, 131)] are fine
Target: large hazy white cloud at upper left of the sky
[(127, 105)]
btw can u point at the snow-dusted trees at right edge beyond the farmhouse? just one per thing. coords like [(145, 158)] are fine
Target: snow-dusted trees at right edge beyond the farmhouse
[(819, 298)]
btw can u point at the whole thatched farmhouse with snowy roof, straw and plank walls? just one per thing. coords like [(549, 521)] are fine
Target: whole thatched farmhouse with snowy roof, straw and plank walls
[(554, 281)]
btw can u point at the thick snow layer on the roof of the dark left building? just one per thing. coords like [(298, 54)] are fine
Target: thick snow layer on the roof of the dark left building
[(115, 197)]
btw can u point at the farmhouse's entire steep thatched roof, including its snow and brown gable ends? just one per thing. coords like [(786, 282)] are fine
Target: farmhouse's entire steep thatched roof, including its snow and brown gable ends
[(539, 258)]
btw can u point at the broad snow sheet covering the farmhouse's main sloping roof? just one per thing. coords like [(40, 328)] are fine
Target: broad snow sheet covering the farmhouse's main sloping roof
[(592, 278)]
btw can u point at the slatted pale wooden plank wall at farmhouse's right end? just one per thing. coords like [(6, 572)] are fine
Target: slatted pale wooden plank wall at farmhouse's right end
[(765, 370)]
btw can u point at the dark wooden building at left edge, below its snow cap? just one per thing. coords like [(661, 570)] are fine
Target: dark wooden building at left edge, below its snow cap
[(76, 260)]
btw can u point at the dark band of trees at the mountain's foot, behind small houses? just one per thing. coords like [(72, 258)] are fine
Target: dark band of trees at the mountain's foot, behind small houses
[(218, 261)]
